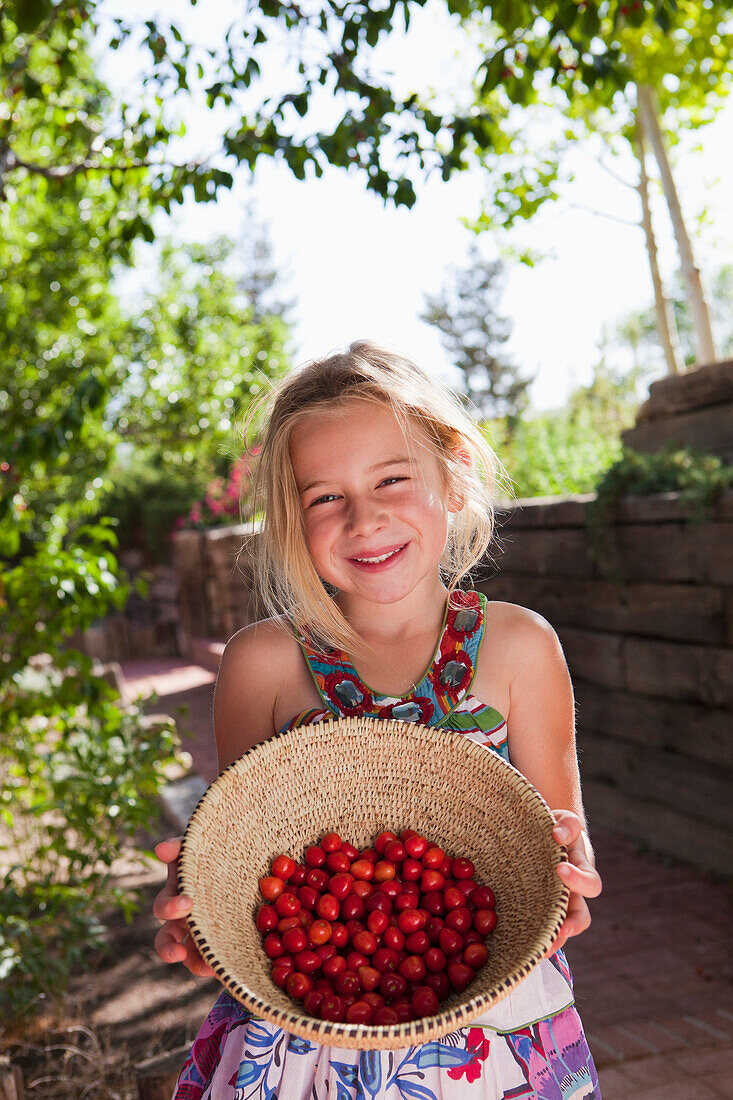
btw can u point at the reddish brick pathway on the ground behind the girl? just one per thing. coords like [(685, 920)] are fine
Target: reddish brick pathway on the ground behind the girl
[(653, 974)]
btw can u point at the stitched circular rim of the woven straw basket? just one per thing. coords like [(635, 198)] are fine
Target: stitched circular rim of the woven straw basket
[(375, 1036)]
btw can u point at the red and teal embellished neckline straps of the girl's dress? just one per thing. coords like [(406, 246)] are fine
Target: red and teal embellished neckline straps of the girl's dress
[(443, 688)]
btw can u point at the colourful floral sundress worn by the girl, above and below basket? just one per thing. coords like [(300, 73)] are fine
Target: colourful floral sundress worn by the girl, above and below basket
[(530, 1047)]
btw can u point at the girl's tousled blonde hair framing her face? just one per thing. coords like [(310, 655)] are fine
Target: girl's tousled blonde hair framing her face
[(287, 581)]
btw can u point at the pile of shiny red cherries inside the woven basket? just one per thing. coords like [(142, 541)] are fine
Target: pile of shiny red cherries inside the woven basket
[(379, 937)]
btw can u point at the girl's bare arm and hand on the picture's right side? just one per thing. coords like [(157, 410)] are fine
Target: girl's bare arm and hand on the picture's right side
[(542, 745)]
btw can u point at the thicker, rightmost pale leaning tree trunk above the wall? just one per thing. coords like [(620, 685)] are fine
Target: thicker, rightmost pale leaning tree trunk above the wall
[(691, 272)]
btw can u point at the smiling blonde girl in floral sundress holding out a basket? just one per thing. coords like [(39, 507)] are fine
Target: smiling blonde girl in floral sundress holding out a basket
[(378, 492)]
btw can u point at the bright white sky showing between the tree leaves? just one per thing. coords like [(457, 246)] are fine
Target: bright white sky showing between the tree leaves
[(362, 270)]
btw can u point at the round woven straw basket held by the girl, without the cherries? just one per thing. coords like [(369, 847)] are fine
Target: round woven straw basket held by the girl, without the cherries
[(358, 777)]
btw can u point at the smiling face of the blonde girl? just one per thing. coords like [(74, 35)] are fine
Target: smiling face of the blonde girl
[(376, 512)]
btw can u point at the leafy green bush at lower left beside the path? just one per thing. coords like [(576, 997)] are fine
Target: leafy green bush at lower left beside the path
[(80, 775)]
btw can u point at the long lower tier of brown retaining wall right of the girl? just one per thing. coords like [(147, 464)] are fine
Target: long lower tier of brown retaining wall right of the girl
[(651, 655)]
